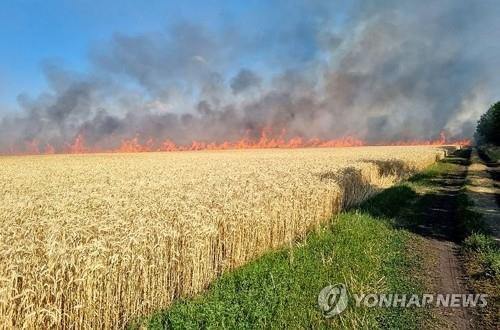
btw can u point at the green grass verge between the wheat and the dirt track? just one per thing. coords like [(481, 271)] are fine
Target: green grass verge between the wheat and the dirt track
[(374, 247)]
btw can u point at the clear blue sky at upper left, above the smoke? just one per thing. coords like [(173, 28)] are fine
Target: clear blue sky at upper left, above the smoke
[(64, 31)]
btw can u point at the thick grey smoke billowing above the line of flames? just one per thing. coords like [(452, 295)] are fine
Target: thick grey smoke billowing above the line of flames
[(380, 71)]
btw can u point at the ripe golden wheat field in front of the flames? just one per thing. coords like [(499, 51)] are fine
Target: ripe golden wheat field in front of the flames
[(94, 241)]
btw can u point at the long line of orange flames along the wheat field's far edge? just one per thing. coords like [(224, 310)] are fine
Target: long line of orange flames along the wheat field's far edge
[(265, 141)]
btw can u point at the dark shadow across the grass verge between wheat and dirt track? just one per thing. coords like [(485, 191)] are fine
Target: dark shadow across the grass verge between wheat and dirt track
[(433, 212)]
